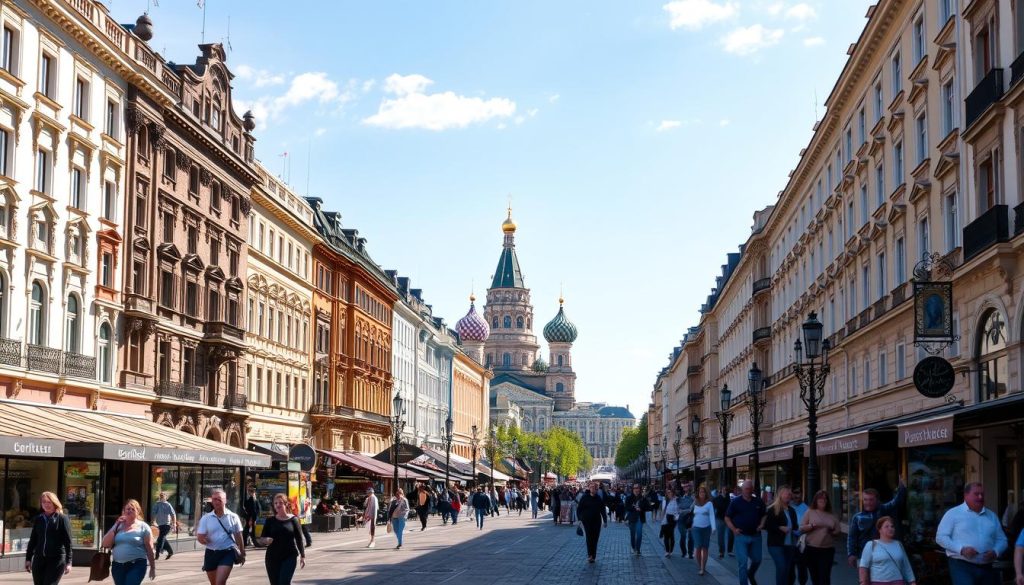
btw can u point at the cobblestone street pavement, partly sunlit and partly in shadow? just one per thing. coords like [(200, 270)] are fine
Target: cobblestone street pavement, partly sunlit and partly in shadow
[(509, 551)]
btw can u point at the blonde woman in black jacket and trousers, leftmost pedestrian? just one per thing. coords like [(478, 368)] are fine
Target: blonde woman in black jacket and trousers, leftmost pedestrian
[(49, 554)]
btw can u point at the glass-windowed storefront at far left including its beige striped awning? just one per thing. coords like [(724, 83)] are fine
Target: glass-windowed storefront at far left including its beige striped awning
[(96, 462)]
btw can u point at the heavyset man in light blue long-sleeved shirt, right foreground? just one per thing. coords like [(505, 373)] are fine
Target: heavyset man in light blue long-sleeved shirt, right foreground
[(973, 539)]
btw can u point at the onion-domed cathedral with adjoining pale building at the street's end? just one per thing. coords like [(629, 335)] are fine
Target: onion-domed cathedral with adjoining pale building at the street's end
[(527, 391)]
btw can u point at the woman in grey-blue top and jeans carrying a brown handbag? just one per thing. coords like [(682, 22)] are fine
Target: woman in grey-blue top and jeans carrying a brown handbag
[(131, 541)]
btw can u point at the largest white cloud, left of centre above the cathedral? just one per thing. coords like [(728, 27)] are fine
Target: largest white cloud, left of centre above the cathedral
[(412, 107)]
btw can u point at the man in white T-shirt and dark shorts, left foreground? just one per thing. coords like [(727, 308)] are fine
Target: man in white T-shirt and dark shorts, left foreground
[(221, 532)]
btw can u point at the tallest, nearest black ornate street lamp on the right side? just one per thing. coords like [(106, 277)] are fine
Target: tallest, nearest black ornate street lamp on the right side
[(812, 377)]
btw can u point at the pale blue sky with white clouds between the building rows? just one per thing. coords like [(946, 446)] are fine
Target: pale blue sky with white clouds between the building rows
[(634, 140)]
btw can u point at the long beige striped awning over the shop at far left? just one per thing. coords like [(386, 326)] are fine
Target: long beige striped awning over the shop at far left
[(93, 435)]
